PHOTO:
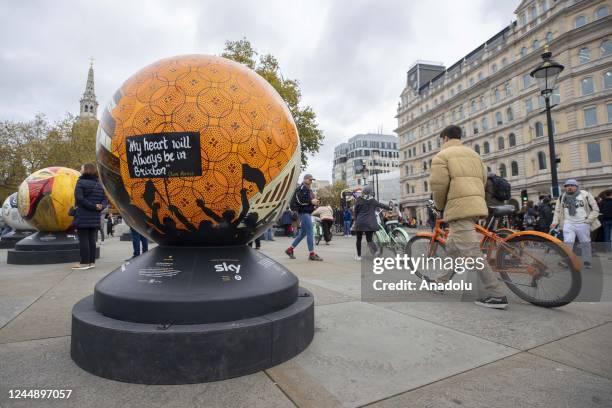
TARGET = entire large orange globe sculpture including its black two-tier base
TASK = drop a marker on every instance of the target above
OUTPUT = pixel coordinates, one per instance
(201, 155)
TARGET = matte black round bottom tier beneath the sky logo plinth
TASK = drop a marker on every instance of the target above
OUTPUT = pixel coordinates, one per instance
(186, 354)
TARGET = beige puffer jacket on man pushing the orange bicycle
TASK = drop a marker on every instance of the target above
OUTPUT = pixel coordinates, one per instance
(457, 181)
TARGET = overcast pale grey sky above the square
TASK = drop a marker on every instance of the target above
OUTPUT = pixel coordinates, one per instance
(350, 57)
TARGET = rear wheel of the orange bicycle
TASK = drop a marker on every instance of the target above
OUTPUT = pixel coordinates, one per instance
(538, 271)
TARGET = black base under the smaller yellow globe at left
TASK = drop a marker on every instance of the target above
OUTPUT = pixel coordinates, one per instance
(46, 248)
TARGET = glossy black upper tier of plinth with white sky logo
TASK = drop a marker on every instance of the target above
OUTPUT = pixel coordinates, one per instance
(187, 285)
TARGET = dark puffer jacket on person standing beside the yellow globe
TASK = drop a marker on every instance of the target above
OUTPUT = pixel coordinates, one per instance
(88, 192)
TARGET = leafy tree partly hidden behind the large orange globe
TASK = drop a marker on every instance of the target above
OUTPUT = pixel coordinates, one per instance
(289, 89)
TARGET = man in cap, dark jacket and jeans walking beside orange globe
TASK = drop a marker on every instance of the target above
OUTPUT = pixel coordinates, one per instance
(303, 202)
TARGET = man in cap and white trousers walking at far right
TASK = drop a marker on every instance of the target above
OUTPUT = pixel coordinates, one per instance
(576, 214)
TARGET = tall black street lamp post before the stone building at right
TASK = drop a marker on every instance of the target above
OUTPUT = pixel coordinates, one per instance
(546, 73)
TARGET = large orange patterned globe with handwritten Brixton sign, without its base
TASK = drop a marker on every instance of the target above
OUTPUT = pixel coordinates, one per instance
(198, 150)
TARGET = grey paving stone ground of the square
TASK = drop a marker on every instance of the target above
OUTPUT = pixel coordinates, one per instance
(402, 354)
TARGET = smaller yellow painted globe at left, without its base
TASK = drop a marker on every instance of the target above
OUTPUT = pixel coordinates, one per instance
(45, 197)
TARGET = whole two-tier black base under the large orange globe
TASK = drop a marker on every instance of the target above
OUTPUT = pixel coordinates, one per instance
(179, 315)
